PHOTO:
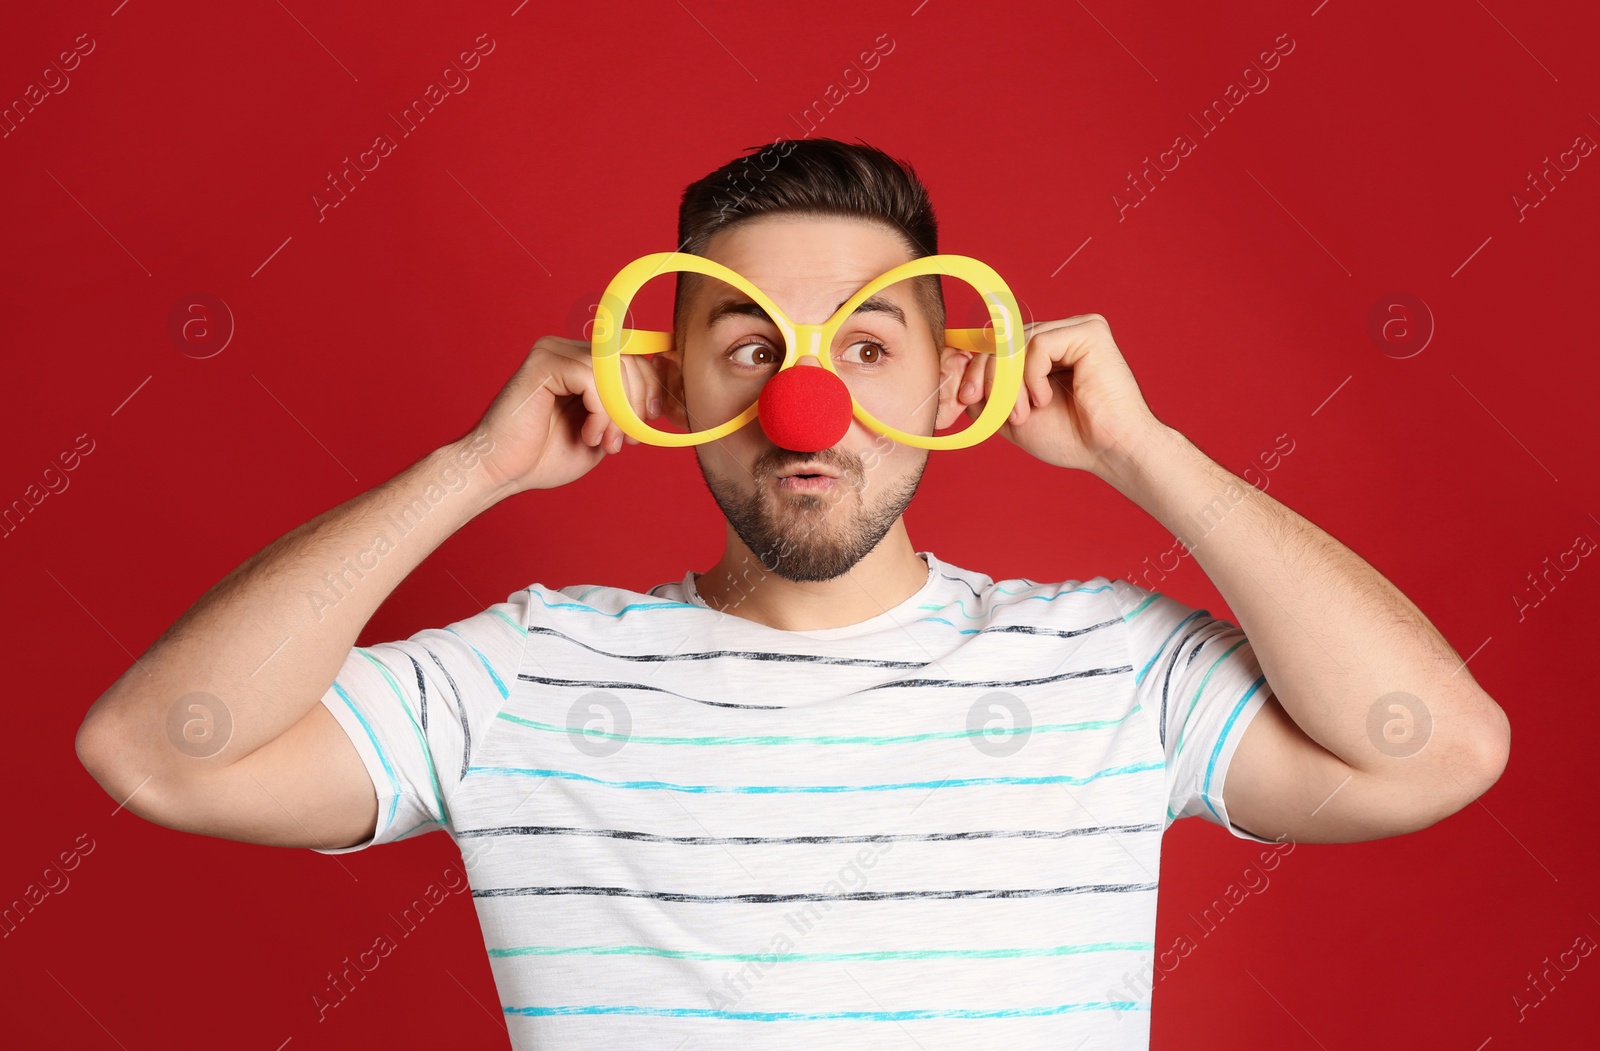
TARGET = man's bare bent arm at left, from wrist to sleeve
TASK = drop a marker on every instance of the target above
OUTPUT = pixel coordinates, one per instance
(254, 658)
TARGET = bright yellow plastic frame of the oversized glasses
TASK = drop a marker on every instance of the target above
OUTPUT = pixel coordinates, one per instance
(610, 340)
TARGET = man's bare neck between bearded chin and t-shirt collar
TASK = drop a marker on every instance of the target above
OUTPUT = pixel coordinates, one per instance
(887, 577)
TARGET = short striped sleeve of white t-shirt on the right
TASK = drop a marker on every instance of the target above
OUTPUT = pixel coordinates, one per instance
(1199, 677)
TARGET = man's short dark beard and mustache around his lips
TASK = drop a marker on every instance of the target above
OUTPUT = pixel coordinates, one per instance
(791, 533)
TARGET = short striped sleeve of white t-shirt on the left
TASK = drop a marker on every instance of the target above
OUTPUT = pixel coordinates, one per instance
(415, 708)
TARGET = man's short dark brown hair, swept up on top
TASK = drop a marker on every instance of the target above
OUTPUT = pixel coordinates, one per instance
(820, 178)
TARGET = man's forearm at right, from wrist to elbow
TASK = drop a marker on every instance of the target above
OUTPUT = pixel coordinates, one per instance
(1334, 637)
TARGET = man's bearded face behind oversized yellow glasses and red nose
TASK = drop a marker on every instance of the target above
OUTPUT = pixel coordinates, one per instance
(809, 266)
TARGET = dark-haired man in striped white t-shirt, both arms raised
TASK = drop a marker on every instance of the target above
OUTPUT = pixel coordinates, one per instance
(833, 791)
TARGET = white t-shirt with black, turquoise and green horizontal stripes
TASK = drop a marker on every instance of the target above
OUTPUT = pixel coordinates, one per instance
(938, 828)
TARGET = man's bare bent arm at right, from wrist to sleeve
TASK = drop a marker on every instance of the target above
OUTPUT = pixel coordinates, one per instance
(1359, 676)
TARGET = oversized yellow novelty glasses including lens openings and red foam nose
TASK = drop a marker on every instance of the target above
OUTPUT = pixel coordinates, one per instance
(887, 386)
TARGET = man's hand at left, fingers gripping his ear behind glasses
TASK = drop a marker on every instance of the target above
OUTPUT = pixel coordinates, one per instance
(550, 428)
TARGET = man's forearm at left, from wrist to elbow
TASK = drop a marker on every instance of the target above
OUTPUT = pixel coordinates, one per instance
(273, 634)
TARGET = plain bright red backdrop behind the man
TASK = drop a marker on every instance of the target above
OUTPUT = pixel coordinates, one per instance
(1383, 158)
